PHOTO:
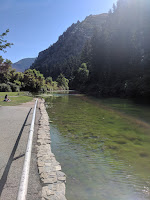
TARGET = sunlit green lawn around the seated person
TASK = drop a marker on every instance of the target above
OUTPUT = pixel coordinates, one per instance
(15, 97)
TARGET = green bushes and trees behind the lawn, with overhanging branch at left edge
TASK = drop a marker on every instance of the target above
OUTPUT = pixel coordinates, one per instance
(31, 80)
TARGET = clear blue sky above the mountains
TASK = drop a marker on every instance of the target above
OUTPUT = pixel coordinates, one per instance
(36, 24)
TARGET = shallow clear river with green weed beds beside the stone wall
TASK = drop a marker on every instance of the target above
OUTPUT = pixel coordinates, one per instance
(103, 146)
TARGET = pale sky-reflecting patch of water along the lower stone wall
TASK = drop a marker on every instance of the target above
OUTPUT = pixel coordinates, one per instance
(93, 176)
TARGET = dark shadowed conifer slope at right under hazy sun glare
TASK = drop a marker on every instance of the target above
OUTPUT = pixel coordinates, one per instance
(118, 59)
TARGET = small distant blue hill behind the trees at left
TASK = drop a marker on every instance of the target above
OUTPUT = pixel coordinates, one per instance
(23, 64)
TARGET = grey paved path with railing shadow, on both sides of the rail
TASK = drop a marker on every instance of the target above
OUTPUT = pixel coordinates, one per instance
(15, 123)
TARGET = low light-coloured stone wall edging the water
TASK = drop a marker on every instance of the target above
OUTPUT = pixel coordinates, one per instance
(52, 178)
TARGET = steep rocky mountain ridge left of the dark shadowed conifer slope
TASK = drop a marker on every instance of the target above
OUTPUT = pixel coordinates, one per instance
(63, 55)
